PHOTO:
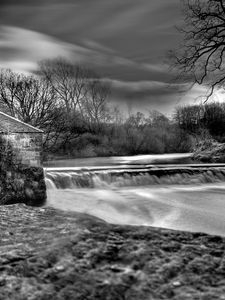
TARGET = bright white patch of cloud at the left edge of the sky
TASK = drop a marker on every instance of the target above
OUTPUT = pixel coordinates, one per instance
(21, 49)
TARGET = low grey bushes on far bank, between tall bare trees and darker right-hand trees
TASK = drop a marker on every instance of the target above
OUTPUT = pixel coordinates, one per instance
(136, 134)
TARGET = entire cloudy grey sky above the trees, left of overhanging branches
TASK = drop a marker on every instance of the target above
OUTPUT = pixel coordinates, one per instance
(125, 41)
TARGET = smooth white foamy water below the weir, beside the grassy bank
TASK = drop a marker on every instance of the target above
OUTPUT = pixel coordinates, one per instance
(182, 208)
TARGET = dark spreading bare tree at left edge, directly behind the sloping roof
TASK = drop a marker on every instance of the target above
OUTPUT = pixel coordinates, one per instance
(33, 101)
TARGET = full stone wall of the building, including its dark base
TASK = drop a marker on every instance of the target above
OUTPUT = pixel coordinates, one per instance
(21, 176)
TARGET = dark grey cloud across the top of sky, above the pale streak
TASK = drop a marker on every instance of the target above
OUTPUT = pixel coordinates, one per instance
(142, 30)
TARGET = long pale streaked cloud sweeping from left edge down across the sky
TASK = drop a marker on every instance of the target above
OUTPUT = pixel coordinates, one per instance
(21, 49)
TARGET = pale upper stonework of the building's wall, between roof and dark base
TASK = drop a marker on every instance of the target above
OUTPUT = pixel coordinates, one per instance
(27, 147)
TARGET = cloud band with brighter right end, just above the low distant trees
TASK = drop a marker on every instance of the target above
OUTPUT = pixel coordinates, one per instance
(162, 96)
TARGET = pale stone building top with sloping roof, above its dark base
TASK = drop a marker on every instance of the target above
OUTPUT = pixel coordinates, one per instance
(25, 139)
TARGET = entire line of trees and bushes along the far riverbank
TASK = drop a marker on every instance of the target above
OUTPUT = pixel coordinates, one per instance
(70, 103)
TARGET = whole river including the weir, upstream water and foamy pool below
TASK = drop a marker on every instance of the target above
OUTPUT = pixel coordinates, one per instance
(168, 191)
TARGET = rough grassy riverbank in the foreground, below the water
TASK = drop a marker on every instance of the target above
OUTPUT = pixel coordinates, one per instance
(51, 254)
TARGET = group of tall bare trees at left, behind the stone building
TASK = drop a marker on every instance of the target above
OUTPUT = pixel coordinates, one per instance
(64, 100)
